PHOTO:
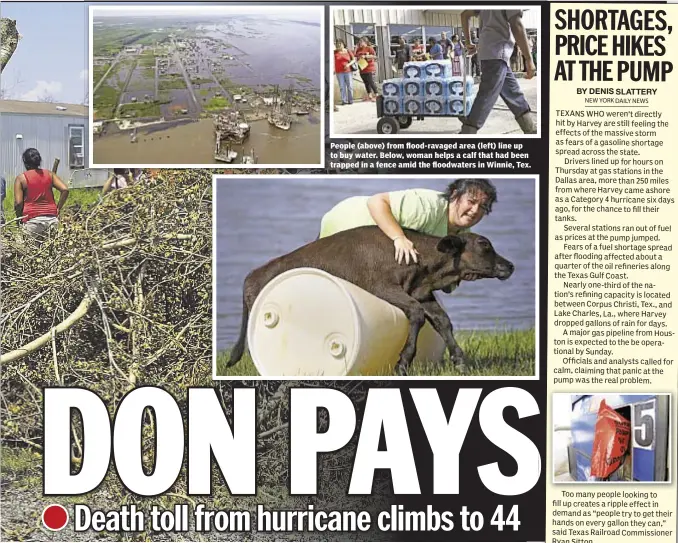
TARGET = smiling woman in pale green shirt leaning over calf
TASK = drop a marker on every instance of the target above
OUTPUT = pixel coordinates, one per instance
(461, 206)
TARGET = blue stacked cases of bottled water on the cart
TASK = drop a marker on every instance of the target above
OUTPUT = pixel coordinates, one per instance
(428, 88)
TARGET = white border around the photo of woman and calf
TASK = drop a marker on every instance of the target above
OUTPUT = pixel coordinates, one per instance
(282, 178)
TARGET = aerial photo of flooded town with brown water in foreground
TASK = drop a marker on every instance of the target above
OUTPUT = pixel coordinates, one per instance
(206, 85)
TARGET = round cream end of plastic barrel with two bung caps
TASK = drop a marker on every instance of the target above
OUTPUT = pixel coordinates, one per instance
(304, 323)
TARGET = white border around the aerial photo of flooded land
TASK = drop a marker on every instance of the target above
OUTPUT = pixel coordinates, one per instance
(202, 7)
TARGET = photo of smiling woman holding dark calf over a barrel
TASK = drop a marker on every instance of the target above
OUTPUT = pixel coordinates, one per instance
(375, 276)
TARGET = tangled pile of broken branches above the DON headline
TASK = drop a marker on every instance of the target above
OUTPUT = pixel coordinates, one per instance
(119, 297)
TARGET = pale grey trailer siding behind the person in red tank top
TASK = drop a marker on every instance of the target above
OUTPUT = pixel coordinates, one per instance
(49, 135)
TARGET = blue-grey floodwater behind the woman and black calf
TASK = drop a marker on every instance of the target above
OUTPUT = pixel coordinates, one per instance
(263, 218)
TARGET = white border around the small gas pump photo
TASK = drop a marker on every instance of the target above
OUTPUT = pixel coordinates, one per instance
(670, 460)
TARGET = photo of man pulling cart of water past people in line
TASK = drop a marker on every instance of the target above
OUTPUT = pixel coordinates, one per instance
(435, 71)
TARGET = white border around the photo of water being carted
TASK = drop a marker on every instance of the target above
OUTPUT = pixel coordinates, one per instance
(405, 134)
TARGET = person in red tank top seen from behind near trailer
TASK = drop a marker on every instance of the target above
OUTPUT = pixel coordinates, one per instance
(33, 196)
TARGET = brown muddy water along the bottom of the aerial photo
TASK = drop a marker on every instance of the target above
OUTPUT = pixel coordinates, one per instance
(193, 143)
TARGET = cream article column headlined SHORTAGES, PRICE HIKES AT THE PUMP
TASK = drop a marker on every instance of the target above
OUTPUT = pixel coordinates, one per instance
(611, 220)
